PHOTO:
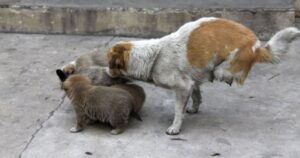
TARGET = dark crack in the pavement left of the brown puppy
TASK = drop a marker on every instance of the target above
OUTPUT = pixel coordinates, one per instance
(42, 125)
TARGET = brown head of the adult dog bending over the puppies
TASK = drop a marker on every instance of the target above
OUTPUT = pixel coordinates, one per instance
(118, 57)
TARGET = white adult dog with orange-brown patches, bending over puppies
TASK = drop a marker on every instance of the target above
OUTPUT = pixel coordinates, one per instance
(207, 49)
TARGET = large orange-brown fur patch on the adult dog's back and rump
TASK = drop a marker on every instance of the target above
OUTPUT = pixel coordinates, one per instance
(221, 37)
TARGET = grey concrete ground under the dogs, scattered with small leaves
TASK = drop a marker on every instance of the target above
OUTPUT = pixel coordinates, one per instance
(258, 120)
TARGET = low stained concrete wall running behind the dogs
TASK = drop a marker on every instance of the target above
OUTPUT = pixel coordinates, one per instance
(155, 20)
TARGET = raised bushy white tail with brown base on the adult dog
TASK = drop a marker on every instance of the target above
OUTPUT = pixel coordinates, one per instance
(276, 46)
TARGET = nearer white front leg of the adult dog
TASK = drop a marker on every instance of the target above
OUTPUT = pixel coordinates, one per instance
(182, 96)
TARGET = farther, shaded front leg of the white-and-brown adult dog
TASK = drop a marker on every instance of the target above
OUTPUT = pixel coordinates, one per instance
(197, 100)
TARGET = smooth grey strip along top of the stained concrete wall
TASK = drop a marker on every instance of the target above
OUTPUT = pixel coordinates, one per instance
(179, 4)
